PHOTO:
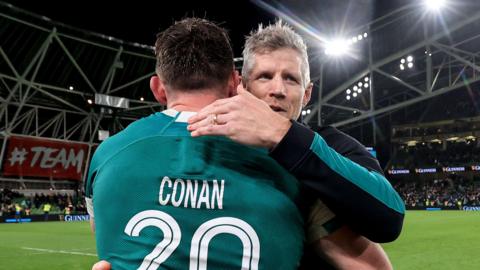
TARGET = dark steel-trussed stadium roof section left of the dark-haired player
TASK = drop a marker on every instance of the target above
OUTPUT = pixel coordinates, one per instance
(60, 81)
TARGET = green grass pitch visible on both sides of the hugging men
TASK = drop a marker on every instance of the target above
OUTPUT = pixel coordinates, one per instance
(438, 240)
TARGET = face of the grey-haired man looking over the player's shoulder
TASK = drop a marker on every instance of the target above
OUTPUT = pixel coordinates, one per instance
(276, 79)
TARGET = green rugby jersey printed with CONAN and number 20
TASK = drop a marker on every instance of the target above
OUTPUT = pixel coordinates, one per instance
(165, 200)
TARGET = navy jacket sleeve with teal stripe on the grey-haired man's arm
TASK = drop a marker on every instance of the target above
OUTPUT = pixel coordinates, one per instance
(348, 180)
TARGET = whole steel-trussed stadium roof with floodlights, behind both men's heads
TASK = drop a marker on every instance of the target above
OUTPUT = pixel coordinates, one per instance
(49, 71)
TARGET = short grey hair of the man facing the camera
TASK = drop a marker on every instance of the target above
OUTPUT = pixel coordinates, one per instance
(270, 38)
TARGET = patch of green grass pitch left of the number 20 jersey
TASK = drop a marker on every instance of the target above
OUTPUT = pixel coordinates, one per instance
(47, 245)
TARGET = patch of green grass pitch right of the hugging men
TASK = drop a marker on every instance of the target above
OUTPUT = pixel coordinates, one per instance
(440, 240)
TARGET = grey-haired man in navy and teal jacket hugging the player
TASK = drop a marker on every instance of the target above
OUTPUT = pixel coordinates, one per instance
(356, 199)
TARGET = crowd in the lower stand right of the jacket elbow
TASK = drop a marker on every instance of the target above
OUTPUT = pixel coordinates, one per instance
(452, 192)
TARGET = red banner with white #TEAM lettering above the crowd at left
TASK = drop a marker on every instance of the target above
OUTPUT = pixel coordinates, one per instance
(34, 157)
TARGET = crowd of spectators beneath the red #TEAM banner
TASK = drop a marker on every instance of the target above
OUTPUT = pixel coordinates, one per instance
(11, 202)
